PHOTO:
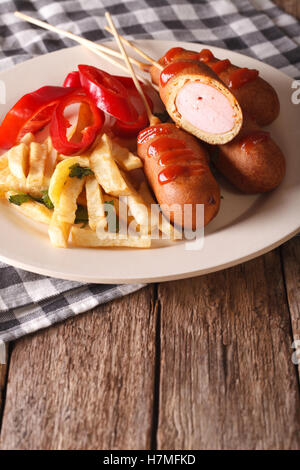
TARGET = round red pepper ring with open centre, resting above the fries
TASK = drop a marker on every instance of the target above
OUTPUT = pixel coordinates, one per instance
(59, 125)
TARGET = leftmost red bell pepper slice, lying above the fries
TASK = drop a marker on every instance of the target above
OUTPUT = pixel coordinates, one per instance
(30, 114)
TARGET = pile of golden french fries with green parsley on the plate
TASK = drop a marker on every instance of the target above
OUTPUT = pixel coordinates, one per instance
(54, 189)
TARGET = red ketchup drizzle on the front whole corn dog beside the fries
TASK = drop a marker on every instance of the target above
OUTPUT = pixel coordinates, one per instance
(173, 151)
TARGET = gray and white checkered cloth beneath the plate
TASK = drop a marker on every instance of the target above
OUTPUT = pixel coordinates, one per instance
(257, 28)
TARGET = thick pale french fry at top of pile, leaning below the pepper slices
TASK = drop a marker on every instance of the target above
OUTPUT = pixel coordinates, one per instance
(106, 170)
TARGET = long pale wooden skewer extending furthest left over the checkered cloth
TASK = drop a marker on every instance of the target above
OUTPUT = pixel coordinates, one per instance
(84, 42)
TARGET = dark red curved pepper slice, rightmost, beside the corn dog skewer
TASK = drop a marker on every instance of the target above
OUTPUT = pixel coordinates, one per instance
(125, 129)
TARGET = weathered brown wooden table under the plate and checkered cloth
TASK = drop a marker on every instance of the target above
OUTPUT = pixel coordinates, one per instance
(203, 363)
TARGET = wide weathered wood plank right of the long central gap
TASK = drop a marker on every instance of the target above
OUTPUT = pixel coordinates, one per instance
(227, 379)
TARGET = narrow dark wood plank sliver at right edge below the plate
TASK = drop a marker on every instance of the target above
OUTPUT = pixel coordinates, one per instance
(291, 265)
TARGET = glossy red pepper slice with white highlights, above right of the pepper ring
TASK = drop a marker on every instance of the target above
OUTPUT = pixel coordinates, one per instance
(108, 92)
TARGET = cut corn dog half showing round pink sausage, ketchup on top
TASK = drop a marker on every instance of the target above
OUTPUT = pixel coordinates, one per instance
(199, 102)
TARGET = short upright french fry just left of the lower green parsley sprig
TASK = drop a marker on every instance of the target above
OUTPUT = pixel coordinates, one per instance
(67, 206)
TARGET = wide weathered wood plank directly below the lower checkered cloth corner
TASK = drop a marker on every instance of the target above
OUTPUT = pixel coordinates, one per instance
(87, 383)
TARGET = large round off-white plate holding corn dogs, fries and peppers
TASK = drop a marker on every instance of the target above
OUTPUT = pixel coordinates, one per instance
(246, 226)
